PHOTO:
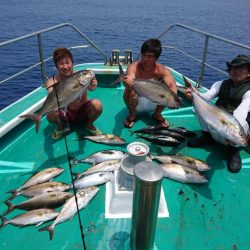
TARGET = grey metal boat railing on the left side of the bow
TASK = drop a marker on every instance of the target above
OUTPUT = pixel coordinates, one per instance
(42, 61)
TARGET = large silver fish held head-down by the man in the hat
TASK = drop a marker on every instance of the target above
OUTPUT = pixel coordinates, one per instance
(222, 126)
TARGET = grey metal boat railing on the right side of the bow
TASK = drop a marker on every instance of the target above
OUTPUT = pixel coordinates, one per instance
(203, 61)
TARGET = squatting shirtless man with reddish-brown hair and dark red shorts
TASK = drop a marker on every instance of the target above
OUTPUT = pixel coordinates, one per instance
(79, 110)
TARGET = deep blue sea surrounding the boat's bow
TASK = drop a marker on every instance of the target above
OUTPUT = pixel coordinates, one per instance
(115, 24)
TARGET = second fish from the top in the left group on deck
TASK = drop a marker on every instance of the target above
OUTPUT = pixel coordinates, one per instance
(41, 188)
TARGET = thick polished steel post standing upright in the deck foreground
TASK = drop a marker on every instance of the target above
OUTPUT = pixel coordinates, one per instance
(147, 189)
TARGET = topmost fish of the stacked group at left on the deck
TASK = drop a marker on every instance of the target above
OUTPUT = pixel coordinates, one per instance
(40, 177)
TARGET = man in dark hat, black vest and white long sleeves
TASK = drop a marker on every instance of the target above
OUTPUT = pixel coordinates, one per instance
(234, 96)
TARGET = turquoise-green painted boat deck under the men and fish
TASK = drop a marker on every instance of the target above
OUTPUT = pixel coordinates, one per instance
(201, 216)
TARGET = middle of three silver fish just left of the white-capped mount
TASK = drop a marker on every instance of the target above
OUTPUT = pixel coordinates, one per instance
(106, 166)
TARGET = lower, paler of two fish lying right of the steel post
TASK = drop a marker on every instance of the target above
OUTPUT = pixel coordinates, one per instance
(183, 174)
